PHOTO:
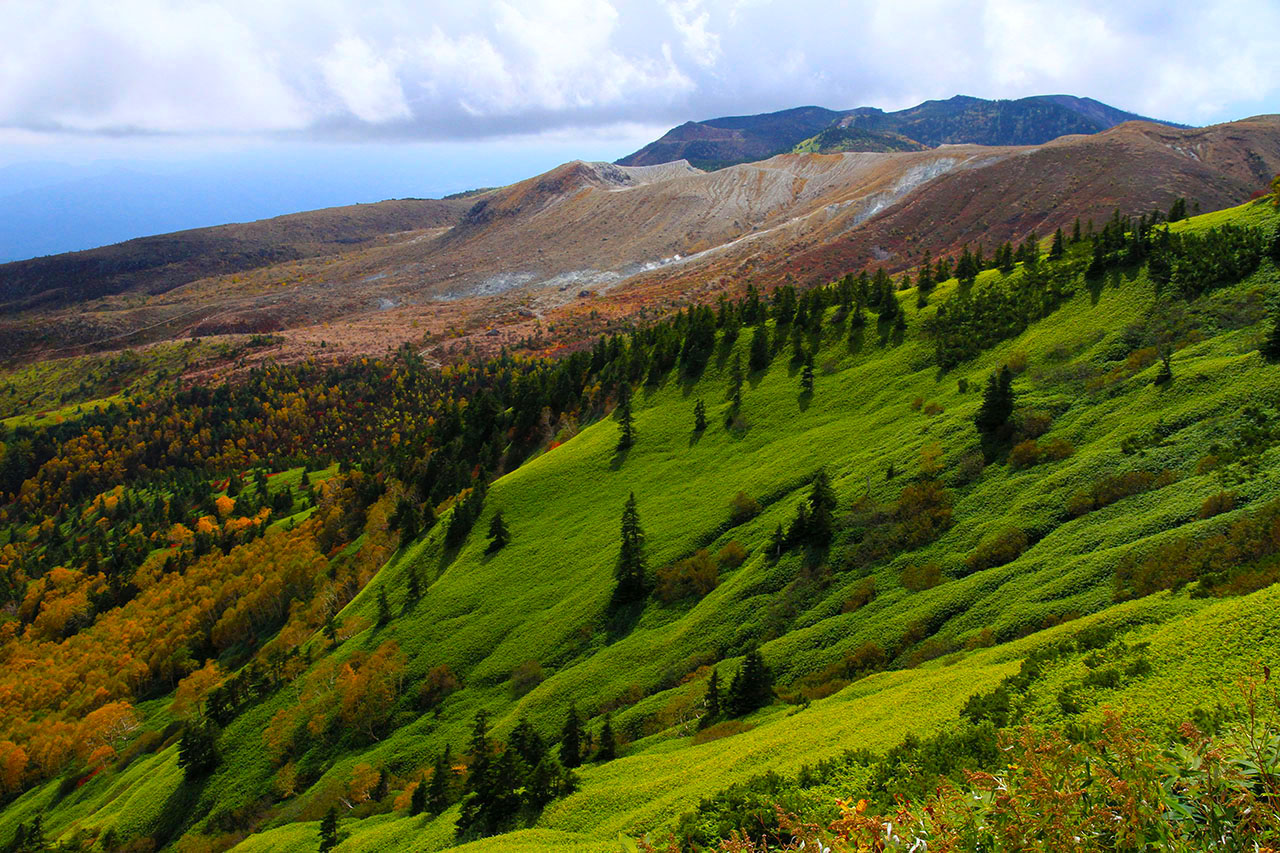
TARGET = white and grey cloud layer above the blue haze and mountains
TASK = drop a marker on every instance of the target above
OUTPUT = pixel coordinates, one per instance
(433, 71)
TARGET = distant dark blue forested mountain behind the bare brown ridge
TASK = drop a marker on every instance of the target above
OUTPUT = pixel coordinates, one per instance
(962, 120)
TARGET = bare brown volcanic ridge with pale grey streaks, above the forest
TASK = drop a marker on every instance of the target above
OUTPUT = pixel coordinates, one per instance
(586, 248)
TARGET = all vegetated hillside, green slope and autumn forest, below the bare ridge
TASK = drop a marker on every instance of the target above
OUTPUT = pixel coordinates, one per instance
(932, 549)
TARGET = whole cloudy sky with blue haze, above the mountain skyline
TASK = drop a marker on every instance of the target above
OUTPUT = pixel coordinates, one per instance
(135, 117)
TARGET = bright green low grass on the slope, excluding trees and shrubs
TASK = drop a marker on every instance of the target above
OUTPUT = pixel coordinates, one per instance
(545, 597)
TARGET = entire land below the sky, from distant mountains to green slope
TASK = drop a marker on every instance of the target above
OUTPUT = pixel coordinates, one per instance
(853, 481)
